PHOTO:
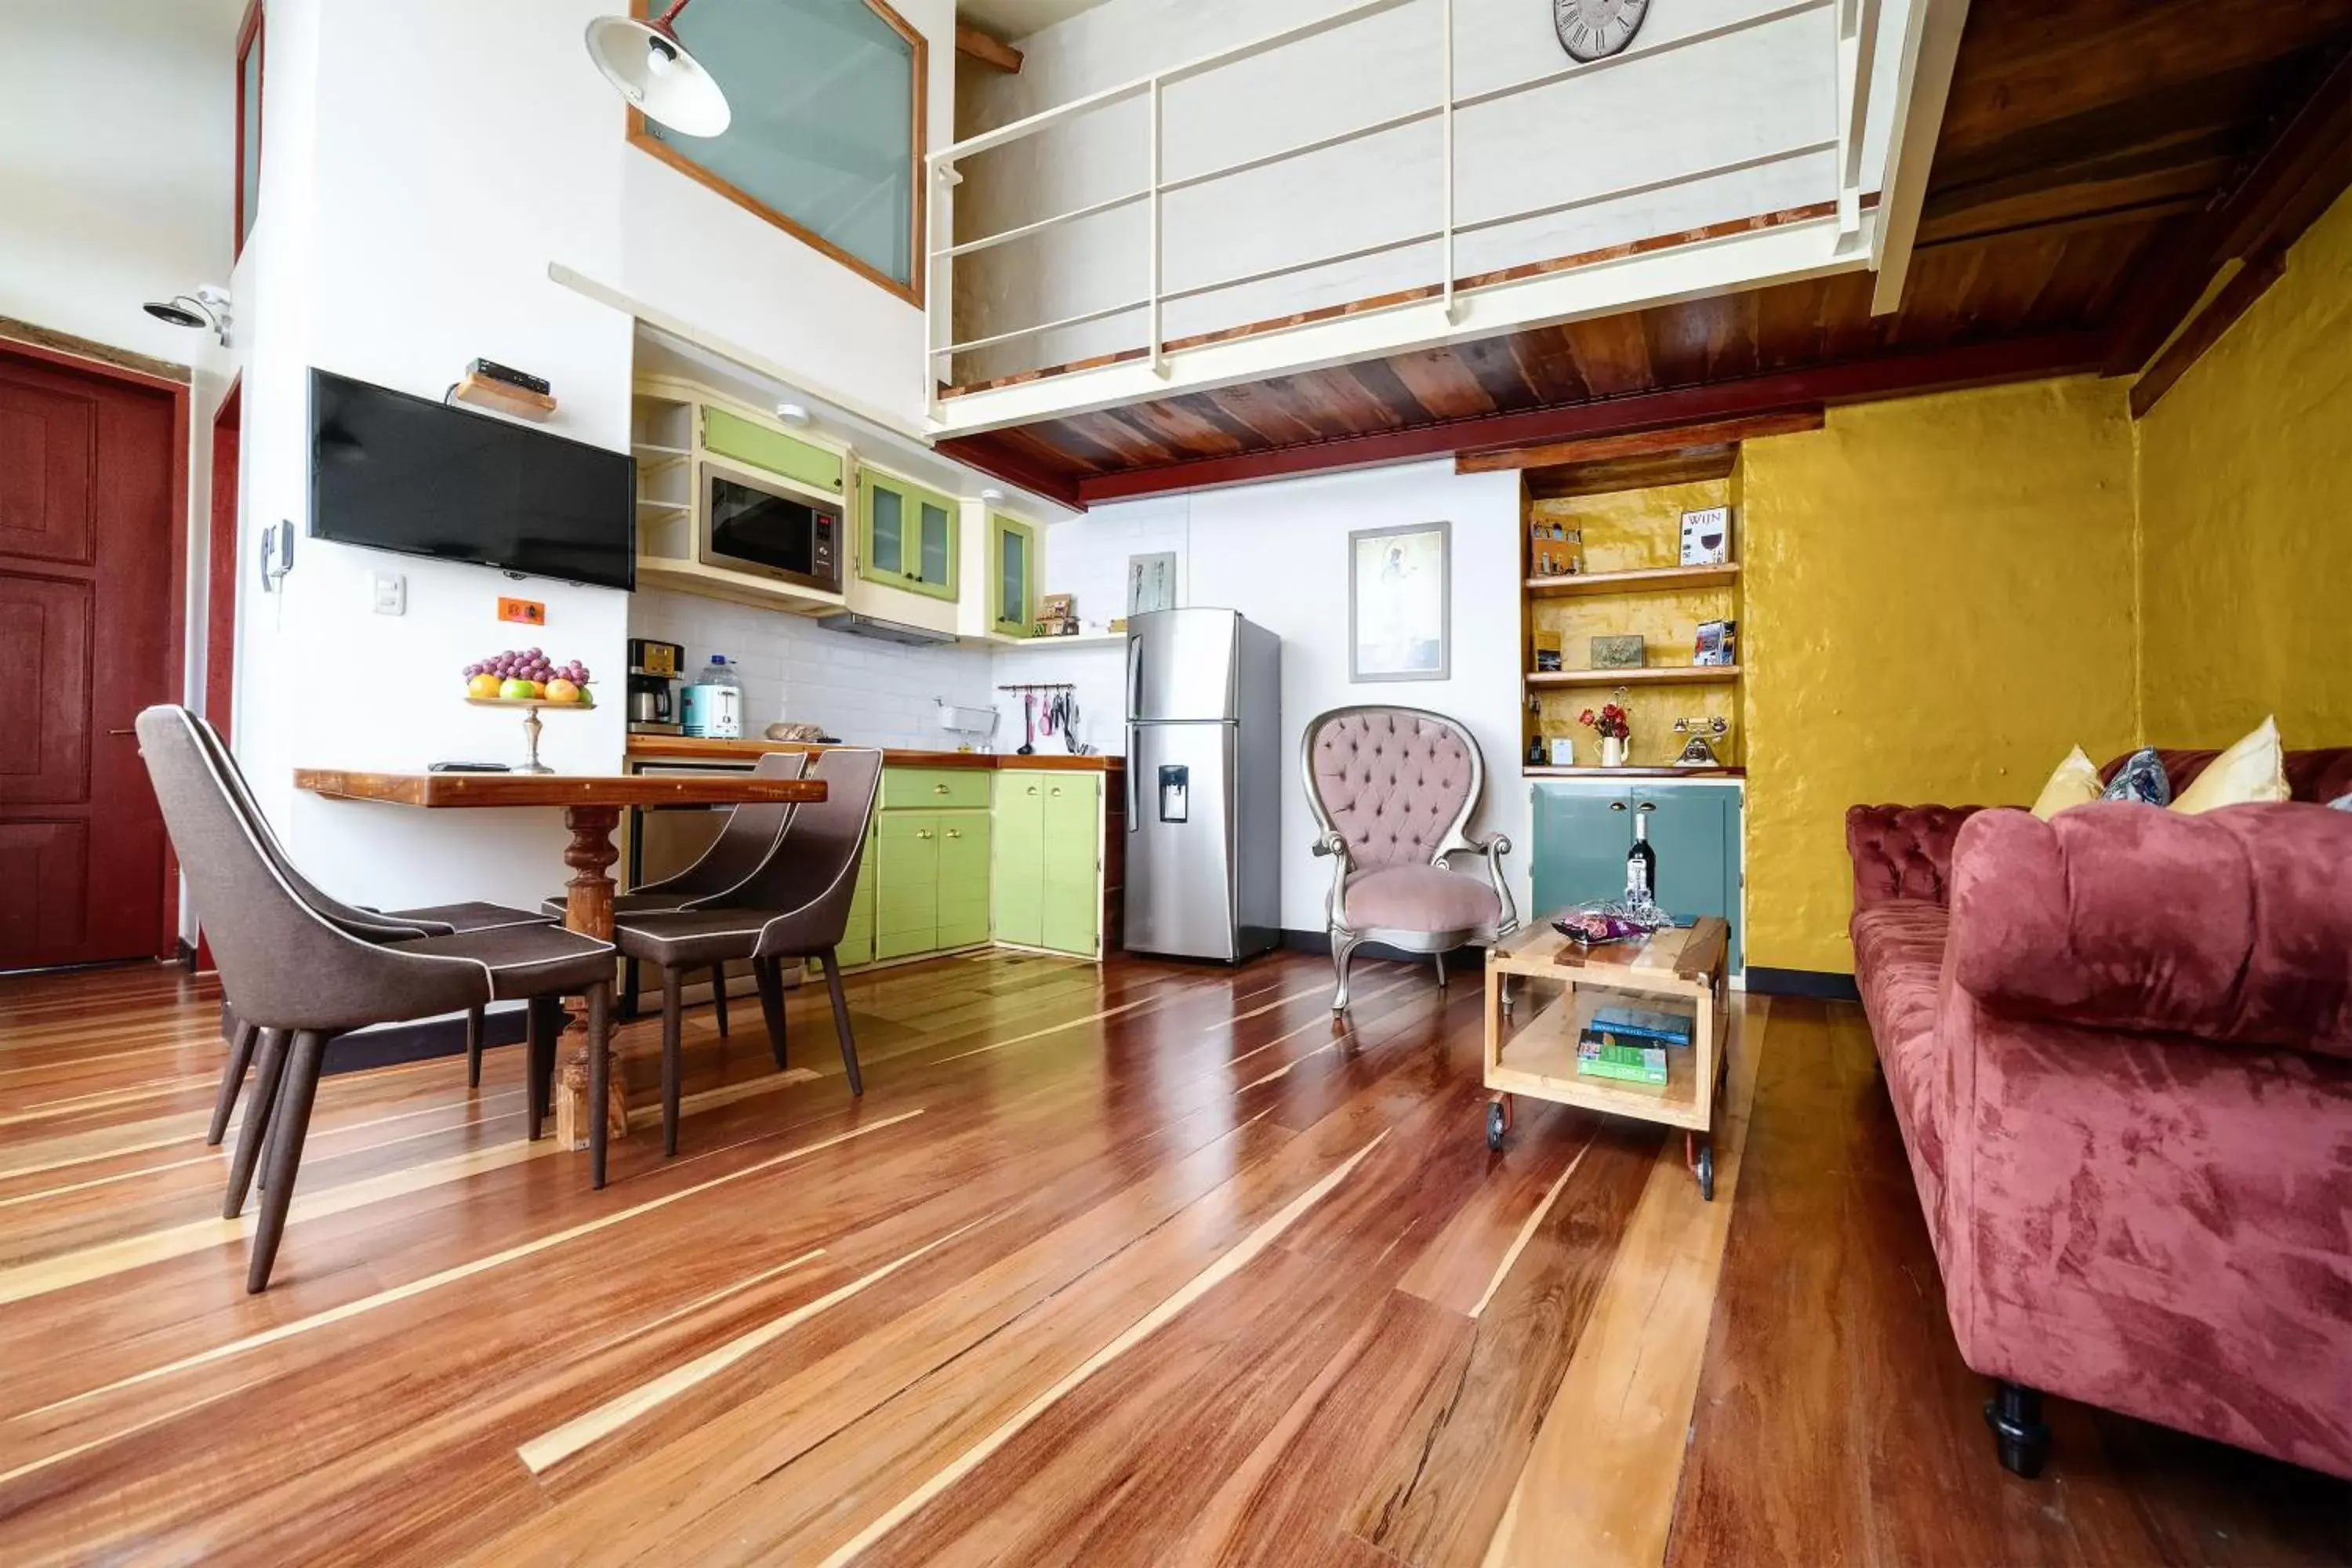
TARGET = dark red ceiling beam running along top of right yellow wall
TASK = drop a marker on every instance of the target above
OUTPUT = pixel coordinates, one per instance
(2304, 168)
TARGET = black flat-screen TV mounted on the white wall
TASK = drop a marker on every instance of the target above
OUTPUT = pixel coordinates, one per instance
(406, 474)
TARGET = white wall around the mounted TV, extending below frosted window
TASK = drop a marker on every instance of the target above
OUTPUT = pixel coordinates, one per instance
(413, 203)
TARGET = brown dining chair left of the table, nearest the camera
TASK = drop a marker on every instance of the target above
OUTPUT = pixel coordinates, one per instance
(302, 979)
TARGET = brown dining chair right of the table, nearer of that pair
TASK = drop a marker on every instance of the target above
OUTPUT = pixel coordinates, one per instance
(796, 906)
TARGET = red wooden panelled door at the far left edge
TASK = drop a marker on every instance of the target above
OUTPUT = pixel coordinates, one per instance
(86, 643)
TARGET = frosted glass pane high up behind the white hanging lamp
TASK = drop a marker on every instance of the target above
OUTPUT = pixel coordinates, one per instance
(827, 121)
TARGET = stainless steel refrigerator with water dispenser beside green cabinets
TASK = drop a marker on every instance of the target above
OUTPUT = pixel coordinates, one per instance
(1203, 784)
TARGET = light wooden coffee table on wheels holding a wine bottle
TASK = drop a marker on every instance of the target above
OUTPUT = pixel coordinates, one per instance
(1676, 972)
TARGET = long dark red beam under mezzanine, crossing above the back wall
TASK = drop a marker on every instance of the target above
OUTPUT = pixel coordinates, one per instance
(1782, 394)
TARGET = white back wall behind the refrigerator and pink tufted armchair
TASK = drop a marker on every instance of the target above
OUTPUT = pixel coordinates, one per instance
(1278, 554)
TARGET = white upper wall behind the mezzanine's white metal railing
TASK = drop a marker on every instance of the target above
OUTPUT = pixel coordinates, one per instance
(1706, 105)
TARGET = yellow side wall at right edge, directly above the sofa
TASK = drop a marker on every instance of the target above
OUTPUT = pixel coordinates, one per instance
(2247, 516)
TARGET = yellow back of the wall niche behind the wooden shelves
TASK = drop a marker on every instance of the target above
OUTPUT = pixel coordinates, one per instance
(1626, 532)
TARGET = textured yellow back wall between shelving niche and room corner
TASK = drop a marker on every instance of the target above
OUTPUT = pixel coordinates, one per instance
(1939, 603)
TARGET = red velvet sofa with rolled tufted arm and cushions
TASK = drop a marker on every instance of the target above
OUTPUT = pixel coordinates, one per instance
(2120, 1050)
